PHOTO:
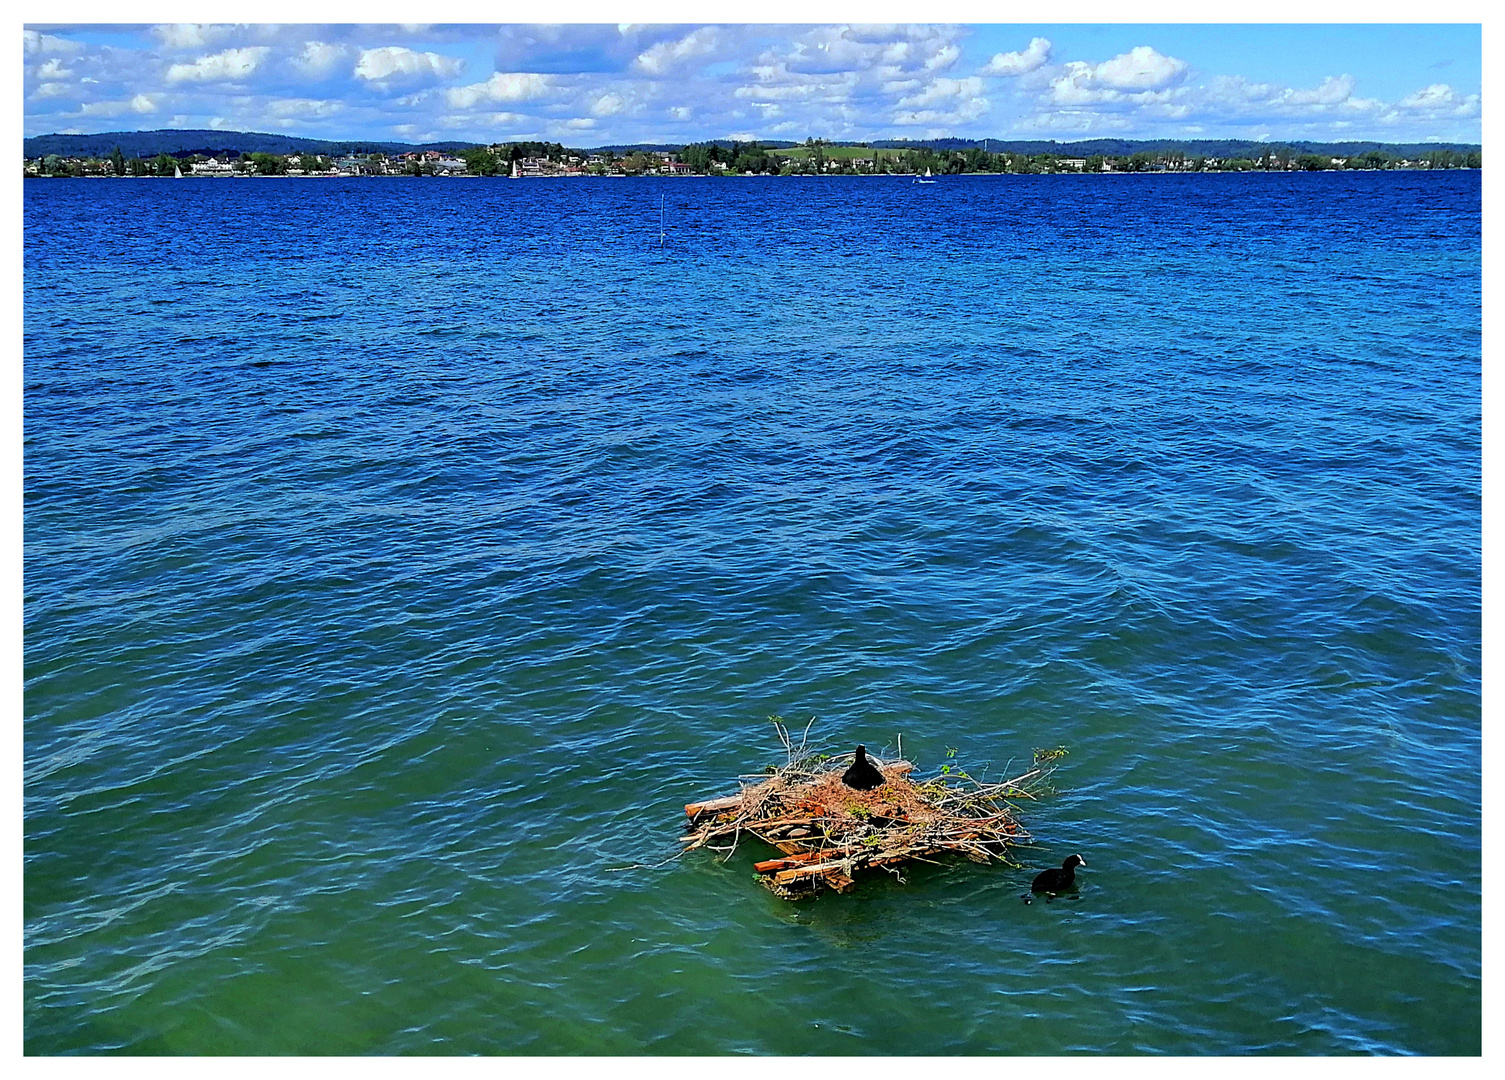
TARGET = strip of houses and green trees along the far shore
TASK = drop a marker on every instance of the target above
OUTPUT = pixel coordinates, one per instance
(815, 159)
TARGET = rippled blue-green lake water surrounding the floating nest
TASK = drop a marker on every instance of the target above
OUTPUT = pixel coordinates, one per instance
(401, 556)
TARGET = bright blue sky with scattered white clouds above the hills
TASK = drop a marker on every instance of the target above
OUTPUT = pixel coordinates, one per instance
(589, 85)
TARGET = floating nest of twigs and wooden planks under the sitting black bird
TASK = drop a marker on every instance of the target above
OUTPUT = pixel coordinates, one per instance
(830, 833)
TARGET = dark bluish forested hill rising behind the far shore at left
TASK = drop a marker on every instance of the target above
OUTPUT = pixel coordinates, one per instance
(172, 141)
